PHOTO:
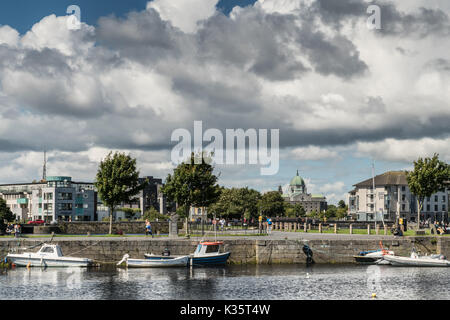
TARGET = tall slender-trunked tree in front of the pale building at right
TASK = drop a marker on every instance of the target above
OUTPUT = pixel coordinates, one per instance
(429, 176)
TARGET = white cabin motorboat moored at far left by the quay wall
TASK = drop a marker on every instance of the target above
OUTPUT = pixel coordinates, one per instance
(49, 255)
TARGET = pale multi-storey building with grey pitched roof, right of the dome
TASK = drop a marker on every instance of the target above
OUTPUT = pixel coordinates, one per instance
(392, 198)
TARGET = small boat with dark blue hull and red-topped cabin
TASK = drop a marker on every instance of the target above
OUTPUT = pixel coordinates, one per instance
(208, 253)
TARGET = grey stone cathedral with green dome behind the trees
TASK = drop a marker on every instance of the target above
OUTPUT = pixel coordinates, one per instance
(297, 193)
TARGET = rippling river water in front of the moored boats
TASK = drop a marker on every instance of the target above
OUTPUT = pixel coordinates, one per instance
(275, 282)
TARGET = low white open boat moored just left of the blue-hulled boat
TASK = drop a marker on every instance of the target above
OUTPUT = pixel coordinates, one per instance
(155, 262)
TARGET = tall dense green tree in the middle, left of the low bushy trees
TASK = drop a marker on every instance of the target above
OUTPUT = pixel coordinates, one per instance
(192, 184)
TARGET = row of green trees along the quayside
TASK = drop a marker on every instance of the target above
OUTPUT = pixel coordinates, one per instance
(194, 184)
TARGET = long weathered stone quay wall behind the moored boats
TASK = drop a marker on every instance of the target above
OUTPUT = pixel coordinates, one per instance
(243, 251)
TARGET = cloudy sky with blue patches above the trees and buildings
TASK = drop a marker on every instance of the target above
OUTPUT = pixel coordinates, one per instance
(342, 95)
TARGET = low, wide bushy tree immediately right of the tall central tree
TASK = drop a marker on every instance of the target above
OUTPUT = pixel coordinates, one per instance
(237, 203)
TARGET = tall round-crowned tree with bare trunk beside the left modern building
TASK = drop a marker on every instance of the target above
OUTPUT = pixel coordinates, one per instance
(117, 181)
